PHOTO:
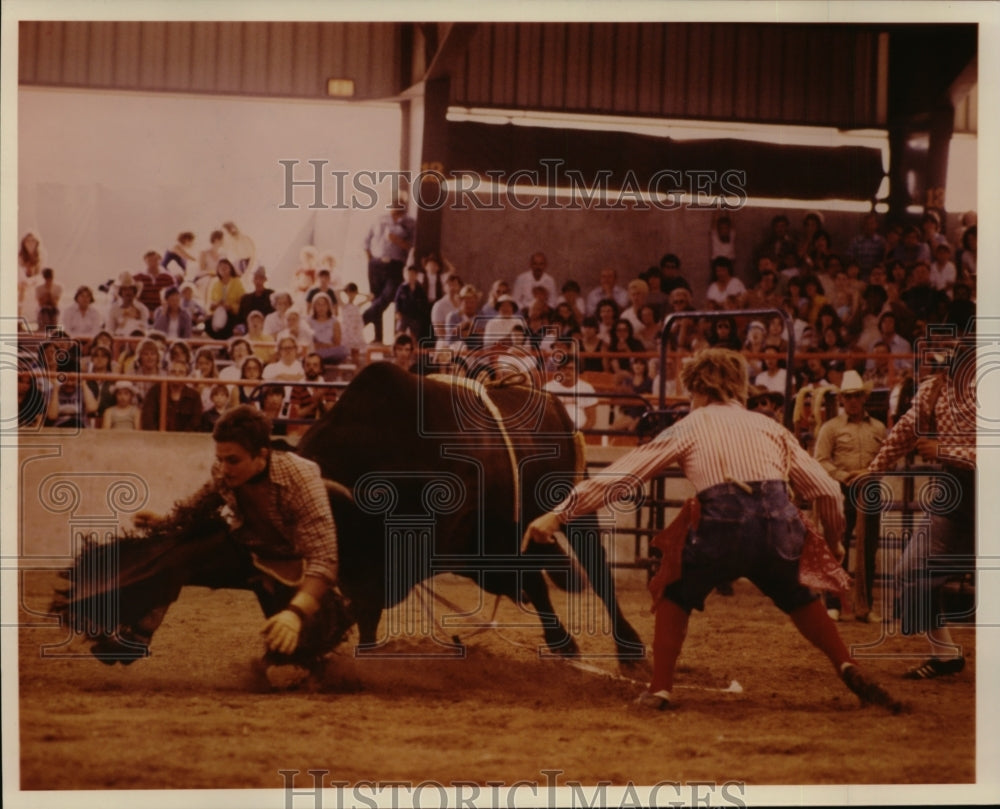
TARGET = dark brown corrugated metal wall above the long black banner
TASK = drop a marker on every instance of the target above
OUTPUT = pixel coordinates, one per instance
(816, 75)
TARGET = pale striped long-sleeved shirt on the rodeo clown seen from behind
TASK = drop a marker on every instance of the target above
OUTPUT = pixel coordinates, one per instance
(715, 444)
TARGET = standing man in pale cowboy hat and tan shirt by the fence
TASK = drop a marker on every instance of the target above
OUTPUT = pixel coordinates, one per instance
(845, 445)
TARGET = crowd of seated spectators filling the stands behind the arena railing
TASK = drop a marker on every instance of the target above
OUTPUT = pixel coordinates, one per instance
(855, 306)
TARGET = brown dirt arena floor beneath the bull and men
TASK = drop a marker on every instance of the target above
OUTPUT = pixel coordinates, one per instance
(197, 715)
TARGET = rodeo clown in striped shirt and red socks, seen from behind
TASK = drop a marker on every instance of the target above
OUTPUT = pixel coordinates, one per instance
(739, 463)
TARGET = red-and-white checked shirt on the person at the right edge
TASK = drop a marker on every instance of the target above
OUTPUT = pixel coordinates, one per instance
(954, 425)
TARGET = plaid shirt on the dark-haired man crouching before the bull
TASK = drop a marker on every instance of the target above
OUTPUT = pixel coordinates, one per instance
(297, 511)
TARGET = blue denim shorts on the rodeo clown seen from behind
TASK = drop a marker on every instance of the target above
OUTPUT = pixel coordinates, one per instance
(757, 535)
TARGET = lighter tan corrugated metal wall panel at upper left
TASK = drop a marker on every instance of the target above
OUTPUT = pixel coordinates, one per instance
(232, 58)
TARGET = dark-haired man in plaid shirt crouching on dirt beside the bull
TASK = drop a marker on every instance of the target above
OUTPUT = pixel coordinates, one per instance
(275, 536)
